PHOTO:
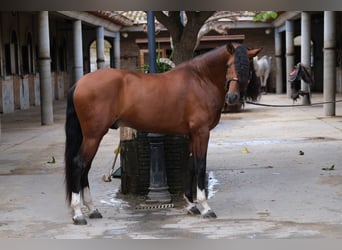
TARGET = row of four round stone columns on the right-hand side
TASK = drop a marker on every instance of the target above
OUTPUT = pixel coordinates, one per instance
(329, 50)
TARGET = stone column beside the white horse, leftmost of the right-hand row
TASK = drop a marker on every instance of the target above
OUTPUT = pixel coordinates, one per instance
(279, 64)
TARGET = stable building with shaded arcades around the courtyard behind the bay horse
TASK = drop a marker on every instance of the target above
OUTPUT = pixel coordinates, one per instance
(80, 42)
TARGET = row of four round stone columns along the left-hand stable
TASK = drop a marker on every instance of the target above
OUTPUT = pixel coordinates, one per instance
(45, 60)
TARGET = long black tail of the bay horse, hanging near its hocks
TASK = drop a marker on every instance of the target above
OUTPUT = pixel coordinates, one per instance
(73, 142)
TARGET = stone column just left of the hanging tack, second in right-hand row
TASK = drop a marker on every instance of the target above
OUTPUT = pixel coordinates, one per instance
(290, 53)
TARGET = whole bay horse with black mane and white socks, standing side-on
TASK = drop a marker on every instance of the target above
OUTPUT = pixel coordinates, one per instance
(110, 98)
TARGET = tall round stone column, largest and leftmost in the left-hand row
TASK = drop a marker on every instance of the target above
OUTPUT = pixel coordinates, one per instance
(46, 101)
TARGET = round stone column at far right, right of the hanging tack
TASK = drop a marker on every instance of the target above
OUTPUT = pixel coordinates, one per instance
(329, 59)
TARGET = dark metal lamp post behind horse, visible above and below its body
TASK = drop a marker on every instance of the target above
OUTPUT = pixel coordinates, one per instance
(158, 188)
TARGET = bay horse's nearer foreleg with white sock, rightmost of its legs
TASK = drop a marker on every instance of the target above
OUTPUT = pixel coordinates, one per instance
(200, 161)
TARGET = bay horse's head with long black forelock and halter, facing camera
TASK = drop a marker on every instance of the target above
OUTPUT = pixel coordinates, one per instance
(239, 71)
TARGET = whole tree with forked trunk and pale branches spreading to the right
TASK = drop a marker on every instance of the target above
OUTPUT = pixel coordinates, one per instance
(186, 35)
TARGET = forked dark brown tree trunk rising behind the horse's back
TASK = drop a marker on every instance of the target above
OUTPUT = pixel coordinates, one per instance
(183, 35)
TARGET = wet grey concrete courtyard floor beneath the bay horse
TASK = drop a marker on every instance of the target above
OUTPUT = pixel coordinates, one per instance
(266, 180)
